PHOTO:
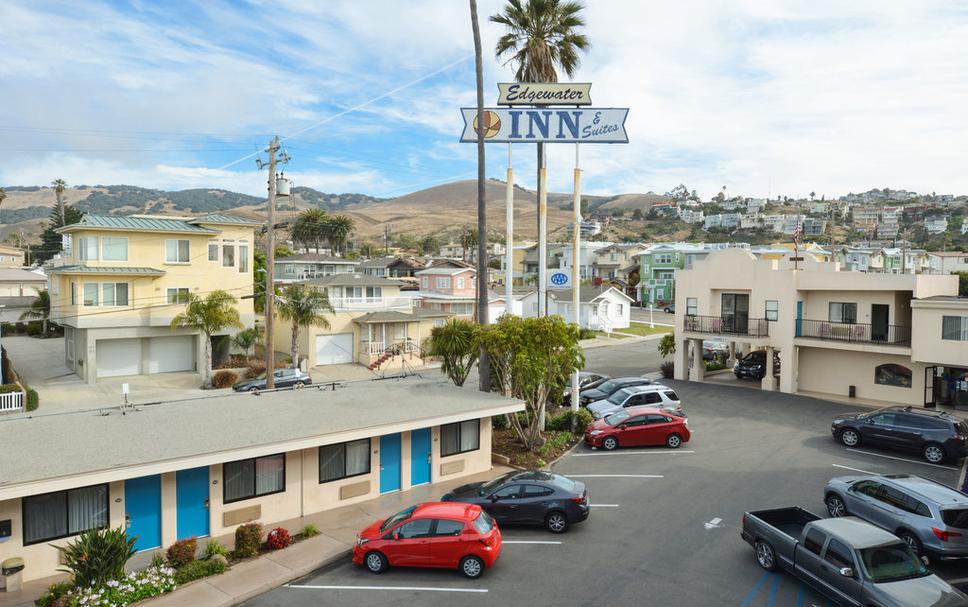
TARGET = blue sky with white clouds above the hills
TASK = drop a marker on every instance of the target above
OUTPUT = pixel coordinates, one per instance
(764, 97)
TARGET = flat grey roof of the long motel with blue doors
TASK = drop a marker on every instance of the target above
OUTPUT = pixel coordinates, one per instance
(59, 451)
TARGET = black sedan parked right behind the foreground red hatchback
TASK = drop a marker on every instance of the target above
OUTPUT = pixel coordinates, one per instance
(528, 497)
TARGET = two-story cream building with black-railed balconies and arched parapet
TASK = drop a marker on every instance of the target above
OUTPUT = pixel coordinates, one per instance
(842, 335)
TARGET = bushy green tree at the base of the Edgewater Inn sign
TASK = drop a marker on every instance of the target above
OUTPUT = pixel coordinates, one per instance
(531, 359)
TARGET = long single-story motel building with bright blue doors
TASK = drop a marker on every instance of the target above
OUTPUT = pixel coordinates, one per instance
(170, 471)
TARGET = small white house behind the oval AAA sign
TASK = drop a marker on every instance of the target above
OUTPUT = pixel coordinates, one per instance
(602, 308)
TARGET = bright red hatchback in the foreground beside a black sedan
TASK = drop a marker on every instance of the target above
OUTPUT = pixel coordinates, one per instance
(446, 535)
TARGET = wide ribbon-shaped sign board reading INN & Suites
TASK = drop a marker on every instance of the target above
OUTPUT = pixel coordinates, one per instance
(560, 125)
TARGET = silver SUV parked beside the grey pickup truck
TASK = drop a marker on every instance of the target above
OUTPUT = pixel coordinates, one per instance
(930, 517)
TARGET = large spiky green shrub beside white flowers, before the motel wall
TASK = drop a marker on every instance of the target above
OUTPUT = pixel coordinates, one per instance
(97, 556)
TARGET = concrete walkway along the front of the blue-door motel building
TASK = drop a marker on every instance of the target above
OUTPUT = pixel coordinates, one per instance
(338, 529)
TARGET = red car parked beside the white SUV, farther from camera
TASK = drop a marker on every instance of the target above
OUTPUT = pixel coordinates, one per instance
(638, 427)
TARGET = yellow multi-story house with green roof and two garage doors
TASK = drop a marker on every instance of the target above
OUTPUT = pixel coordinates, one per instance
(121, 280)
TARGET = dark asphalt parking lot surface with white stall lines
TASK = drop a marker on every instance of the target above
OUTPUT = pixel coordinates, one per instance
(664, 527)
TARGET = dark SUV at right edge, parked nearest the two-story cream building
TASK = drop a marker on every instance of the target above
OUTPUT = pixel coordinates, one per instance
(936, 435)
